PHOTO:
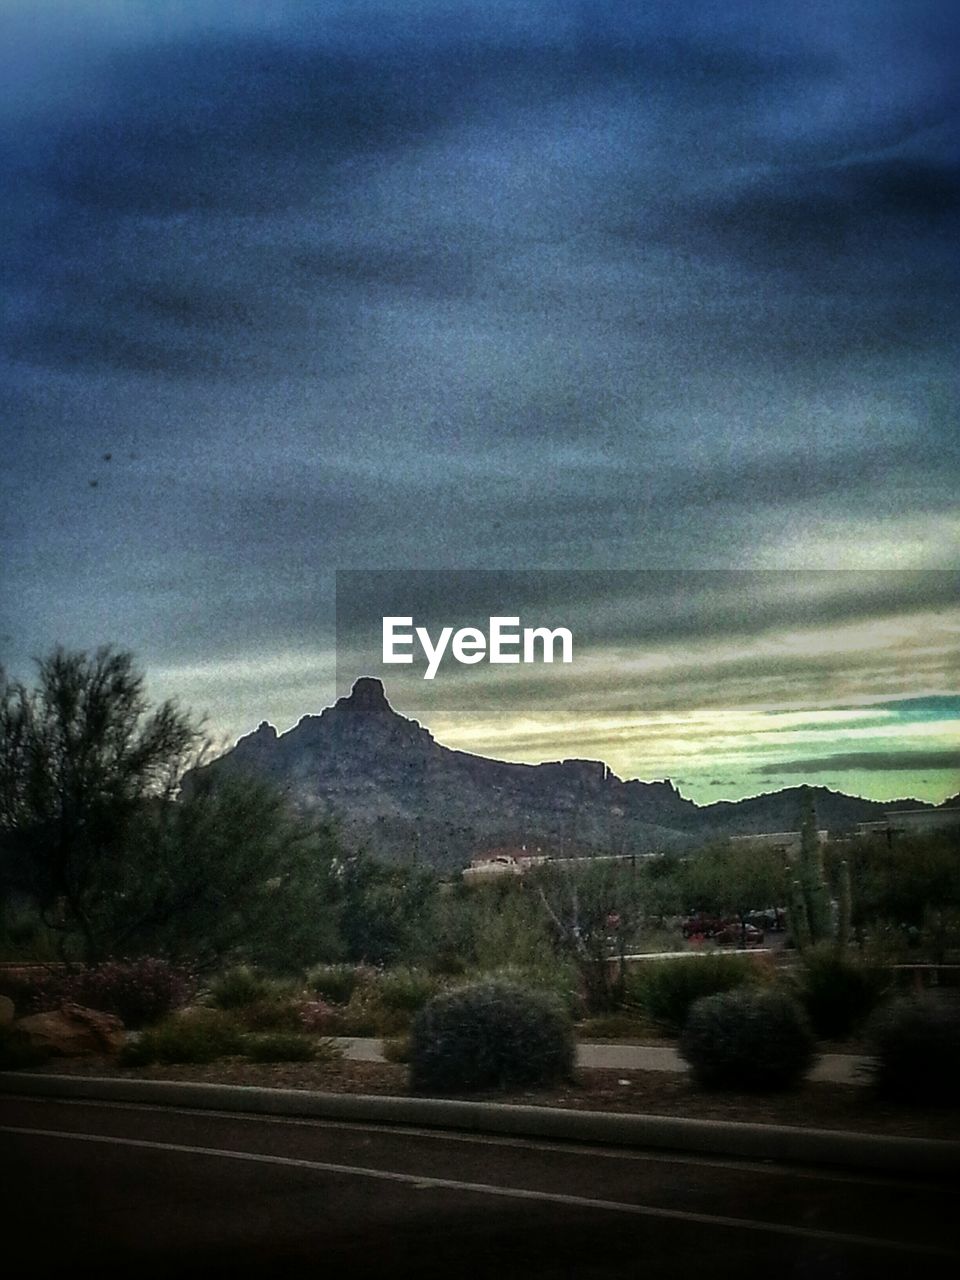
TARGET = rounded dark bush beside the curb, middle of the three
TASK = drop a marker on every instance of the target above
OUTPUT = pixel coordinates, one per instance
(752, 1040)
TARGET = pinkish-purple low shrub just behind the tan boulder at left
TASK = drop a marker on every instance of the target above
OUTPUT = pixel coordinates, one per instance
(138, 991)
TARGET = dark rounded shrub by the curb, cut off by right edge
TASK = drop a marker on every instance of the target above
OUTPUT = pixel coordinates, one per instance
(916, 1046)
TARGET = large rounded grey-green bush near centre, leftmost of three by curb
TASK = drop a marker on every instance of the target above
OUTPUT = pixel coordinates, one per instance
(491, 1035)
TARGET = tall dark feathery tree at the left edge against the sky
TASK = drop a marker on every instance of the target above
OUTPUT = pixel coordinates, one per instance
(80, 755)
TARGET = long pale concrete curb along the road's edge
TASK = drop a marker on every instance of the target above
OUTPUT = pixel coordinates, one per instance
(774, 1144)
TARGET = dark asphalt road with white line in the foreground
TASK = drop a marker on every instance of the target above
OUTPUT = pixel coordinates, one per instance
(139, 1192)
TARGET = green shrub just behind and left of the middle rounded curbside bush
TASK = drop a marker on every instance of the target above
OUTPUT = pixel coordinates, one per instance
(666, 990)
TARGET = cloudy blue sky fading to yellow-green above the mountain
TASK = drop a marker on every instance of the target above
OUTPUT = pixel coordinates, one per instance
(303, 287)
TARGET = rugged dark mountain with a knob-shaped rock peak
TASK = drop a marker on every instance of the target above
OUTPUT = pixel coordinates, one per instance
(396, 792)
